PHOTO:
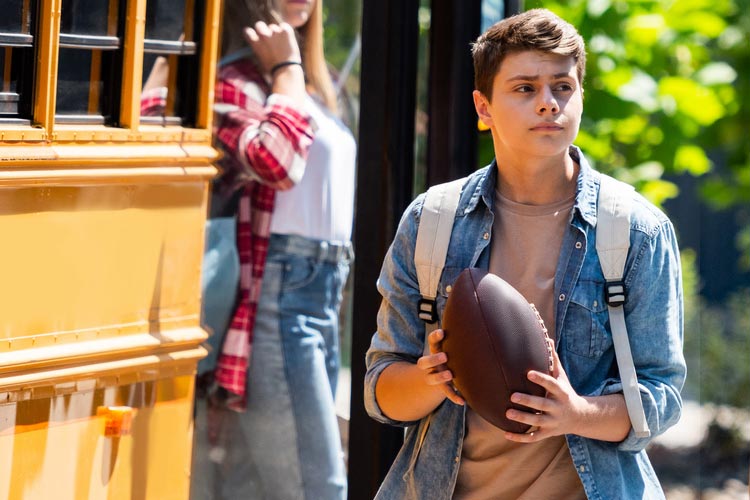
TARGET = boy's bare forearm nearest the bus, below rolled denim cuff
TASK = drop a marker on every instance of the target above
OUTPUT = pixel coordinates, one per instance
(403, 394)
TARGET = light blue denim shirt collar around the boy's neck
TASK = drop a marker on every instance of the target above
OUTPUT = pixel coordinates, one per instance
(586, 188)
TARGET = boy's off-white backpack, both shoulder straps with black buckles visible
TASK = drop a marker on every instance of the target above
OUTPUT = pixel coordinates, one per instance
(612, 244)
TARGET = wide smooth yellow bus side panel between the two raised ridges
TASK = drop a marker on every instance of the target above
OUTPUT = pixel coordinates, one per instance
(86, 256)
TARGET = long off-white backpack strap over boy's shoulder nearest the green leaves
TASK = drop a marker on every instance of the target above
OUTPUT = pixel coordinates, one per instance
(612, 244)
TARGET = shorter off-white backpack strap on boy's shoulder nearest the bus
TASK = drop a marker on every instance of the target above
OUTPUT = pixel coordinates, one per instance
(433, 237)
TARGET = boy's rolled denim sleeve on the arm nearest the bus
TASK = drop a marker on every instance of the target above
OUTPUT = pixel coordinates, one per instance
(400, 332)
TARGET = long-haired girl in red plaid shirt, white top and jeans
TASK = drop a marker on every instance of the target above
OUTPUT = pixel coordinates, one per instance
(285, 149)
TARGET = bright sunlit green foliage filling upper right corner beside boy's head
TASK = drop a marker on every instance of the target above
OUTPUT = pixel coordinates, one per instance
(663, 93)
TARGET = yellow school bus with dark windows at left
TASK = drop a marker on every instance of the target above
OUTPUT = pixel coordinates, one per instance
(102, 214)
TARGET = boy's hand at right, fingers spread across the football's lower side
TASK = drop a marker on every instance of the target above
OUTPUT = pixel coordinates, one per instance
(558, 413)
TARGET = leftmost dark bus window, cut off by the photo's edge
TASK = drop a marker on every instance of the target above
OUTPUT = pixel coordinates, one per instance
(16, 61)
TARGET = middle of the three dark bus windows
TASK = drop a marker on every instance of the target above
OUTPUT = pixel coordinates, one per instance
(88, 61)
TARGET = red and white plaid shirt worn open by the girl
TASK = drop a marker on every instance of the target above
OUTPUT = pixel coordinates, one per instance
(265, 139)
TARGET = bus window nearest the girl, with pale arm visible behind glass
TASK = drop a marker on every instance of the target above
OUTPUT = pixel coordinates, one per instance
(169, 62)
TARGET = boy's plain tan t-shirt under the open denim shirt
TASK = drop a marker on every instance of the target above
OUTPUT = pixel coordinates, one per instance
(526, 242)
